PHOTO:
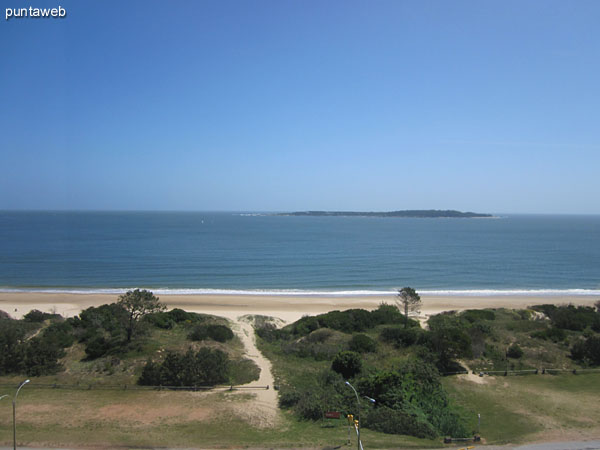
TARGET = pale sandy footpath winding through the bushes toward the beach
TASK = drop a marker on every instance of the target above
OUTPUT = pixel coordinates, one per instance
(262, 410)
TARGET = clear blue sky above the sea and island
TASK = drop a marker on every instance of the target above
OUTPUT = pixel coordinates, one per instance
(487, 106)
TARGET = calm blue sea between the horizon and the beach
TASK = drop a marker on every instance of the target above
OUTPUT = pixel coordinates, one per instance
(227, 253)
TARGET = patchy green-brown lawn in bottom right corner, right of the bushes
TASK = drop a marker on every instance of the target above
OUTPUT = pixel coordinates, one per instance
(529, 408)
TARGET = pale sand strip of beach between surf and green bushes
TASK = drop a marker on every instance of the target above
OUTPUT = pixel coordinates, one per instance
(288, 308)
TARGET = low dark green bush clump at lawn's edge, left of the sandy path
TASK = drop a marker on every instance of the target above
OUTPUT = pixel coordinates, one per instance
(205, 367)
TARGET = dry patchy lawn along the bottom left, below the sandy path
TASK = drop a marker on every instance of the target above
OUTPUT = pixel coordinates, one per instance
(55, 417)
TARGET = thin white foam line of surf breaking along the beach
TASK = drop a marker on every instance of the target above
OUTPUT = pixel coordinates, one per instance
(314, 293)
